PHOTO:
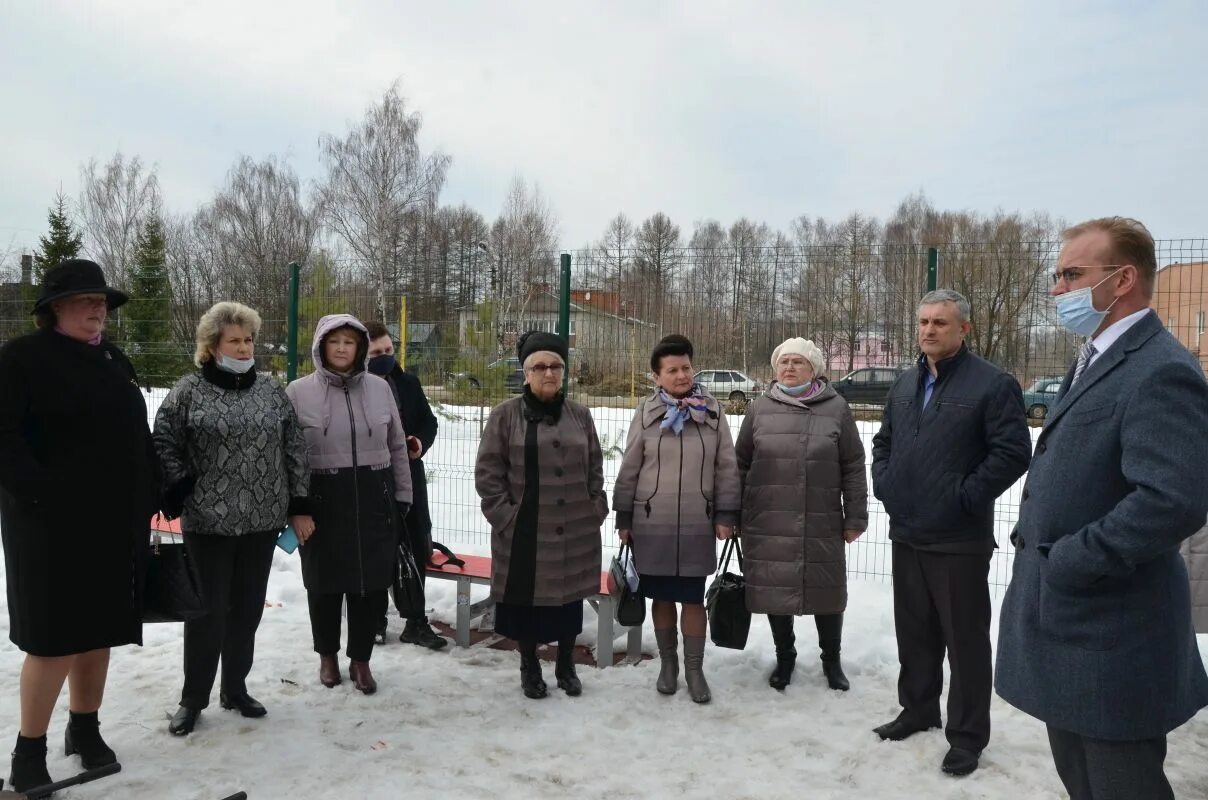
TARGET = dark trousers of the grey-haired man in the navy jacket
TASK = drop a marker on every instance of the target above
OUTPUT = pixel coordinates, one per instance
(942, 604)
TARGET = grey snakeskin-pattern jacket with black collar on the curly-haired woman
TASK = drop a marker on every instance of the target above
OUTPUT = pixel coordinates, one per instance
(233, 454)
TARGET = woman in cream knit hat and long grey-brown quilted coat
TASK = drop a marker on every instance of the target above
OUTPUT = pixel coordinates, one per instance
(805, 500)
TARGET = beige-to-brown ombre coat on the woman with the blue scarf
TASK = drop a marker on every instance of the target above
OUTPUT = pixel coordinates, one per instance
(673, 489)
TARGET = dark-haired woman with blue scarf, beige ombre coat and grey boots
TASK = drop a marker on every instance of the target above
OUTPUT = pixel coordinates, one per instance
(677, 490)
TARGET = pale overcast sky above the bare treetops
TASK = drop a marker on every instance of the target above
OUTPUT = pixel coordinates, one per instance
(696, 109)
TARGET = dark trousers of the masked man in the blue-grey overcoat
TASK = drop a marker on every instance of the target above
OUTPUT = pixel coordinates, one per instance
(1095, 769)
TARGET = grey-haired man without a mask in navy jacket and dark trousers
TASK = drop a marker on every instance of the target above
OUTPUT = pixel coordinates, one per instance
(954, 438)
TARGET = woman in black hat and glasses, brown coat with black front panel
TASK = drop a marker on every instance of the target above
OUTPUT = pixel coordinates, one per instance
(541, 476)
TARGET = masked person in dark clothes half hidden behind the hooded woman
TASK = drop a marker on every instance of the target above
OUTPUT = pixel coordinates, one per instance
(420, 422)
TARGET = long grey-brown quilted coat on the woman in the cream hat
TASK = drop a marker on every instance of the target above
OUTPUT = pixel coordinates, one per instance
(804, 484)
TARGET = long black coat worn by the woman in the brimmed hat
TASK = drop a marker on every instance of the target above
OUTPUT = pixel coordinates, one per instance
(78, 490)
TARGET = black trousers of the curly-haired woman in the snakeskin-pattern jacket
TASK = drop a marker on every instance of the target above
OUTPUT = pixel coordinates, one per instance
(234, 572)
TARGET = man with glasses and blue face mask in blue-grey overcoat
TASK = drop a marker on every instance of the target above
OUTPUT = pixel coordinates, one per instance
(1096, 635)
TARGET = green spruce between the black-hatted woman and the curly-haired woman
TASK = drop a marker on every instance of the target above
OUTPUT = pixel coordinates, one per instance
(147, 318)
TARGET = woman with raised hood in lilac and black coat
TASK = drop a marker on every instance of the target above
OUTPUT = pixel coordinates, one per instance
(361, 489)
